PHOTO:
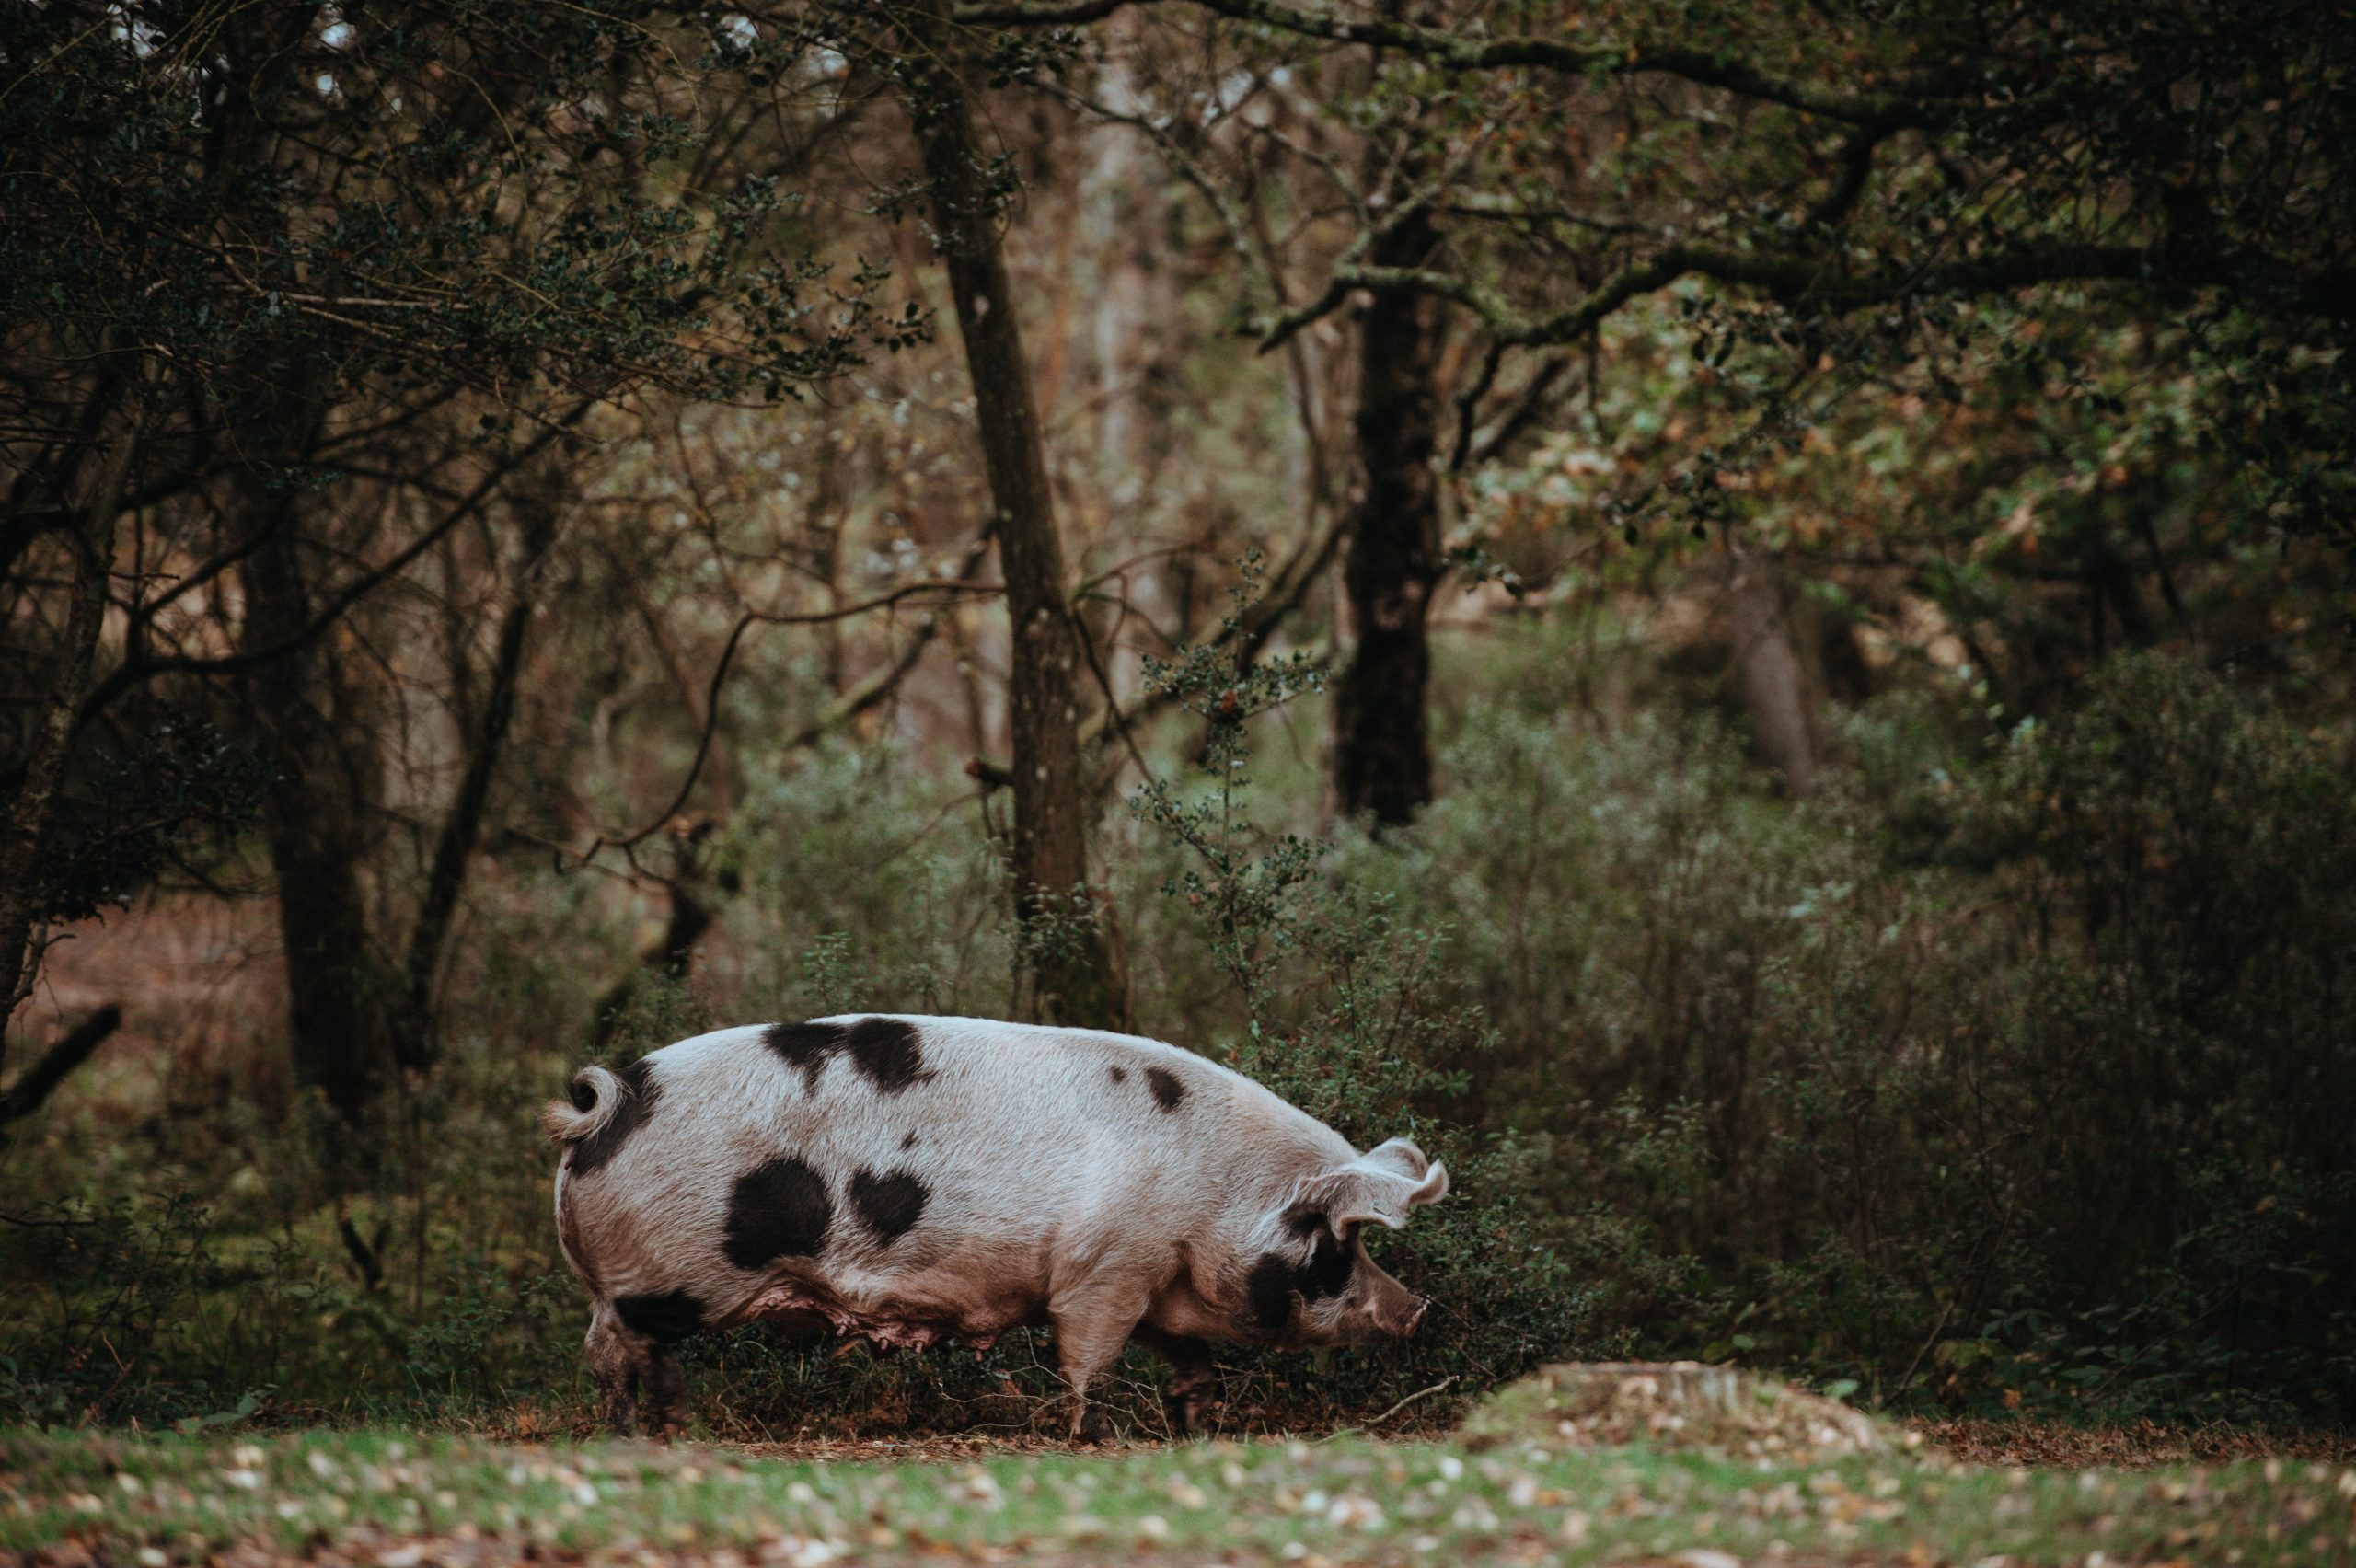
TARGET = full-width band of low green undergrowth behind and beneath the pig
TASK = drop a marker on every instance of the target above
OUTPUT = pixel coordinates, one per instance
(2013, 1072)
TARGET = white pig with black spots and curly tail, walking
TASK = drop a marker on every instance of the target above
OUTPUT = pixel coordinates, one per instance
(911, 1181)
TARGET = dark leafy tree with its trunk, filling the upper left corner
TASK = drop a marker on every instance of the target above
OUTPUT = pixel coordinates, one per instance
(303, 293)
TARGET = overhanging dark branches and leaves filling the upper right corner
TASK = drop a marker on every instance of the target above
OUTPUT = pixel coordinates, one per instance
(1837, 204)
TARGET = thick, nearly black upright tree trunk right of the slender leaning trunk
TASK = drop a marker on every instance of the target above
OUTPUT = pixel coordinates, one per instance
(1382, 736)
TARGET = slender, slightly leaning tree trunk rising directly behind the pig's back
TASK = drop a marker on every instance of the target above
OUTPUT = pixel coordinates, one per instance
(1054, 903)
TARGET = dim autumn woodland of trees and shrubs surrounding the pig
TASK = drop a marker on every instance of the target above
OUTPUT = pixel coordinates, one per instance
(1738, 618)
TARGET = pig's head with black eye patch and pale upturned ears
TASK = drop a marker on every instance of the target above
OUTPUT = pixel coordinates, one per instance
(1306, 1277)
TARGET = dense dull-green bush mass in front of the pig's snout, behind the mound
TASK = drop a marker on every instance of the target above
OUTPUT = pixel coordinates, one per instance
(2004, 1077)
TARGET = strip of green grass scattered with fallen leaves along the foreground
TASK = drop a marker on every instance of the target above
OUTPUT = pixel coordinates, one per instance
(402, 1499)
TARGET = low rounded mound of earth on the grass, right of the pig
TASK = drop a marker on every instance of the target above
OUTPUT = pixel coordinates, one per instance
(1674, 1404)
